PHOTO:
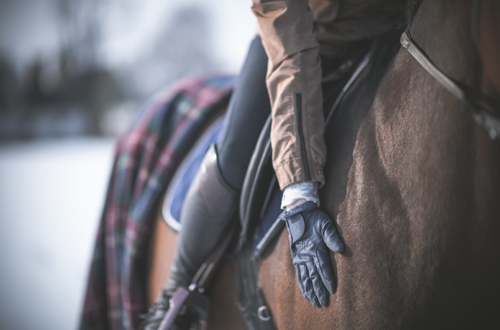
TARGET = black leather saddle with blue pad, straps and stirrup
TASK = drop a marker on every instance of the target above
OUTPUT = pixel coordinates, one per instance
(258, 211)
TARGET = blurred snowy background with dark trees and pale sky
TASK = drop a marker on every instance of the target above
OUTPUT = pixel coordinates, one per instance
(73, 73)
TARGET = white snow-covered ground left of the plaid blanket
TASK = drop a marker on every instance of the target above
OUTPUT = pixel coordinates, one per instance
(51, 195)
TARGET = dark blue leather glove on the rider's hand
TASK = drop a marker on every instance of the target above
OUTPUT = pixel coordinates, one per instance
(311, 231)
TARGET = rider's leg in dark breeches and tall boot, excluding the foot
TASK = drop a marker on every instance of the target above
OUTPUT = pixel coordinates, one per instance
(213, 197)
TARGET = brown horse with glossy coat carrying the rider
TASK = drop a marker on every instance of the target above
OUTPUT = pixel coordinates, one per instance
(413, 186)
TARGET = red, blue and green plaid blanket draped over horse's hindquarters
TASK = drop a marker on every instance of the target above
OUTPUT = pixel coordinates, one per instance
(146, 157)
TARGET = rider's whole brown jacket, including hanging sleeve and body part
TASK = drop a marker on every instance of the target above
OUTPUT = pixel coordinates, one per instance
(290, 32)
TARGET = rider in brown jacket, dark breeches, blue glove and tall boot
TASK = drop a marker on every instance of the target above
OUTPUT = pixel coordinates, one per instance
(297, 42)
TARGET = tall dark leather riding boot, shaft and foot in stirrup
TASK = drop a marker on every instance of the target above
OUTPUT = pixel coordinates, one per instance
(208, 208)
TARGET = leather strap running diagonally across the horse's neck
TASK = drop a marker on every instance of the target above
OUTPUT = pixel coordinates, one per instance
(477, 102)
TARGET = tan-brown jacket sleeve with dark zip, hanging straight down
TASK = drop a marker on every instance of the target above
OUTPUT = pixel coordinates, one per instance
(294, 85)
